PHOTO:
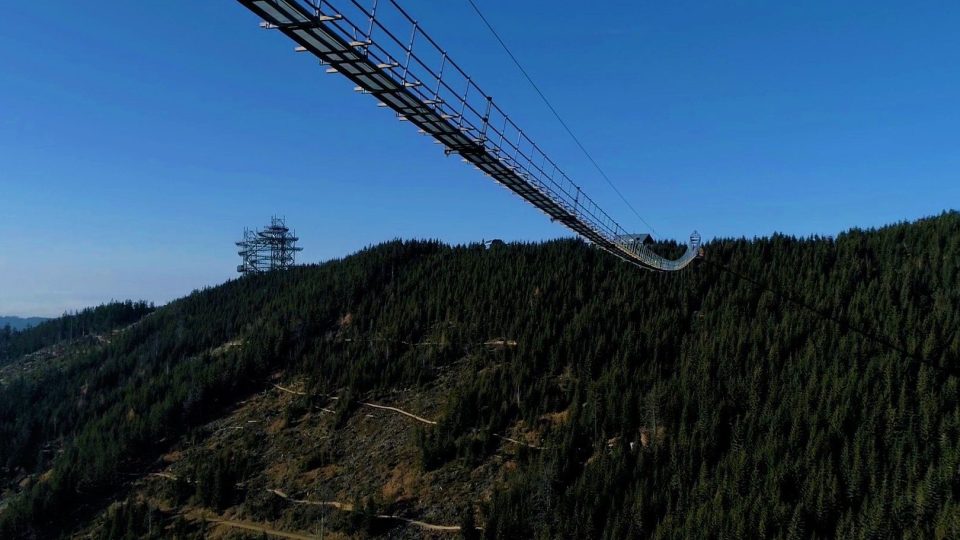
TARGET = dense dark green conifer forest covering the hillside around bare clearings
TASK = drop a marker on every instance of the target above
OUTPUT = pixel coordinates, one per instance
(672, 406)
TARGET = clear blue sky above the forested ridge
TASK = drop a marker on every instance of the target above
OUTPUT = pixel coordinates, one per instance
(137, 139)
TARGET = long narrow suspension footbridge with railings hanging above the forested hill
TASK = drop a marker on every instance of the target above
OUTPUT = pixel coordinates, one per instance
(382, 49)
